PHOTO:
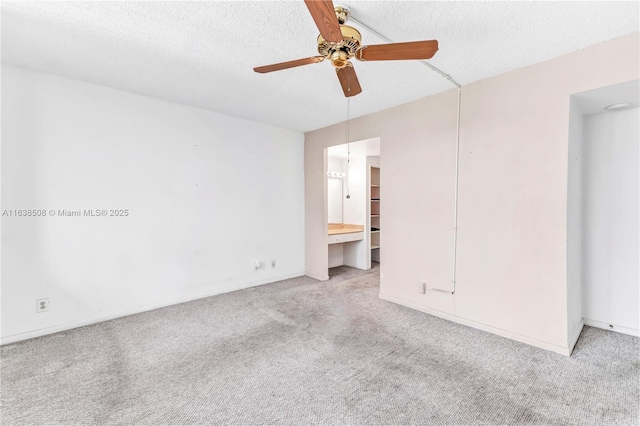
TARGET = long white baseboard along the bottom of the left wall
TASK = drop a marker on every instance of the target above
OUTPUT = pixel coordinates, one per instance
(5, 340)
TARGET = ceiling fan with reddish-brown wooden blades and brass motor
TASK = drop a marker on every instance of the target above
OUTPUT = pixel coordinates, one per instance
(338, 43)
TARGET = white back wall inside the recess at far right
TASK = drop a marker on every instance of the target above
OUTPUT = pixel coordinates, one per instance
(610, 220)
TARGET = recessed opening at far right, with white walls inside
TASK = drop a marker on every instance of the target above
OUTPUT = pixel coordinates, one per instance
(603, 209)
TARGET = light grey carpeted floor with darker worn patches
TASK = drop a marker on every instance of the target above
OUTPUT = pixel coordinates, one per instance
(305, 352)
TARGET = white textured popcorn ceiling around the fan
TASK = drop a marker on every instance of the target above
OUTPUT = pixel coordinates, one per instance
(202, 53)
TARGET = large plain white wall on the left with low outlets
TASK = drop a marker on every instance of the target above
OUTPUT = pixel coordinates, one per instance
(207, 194)
